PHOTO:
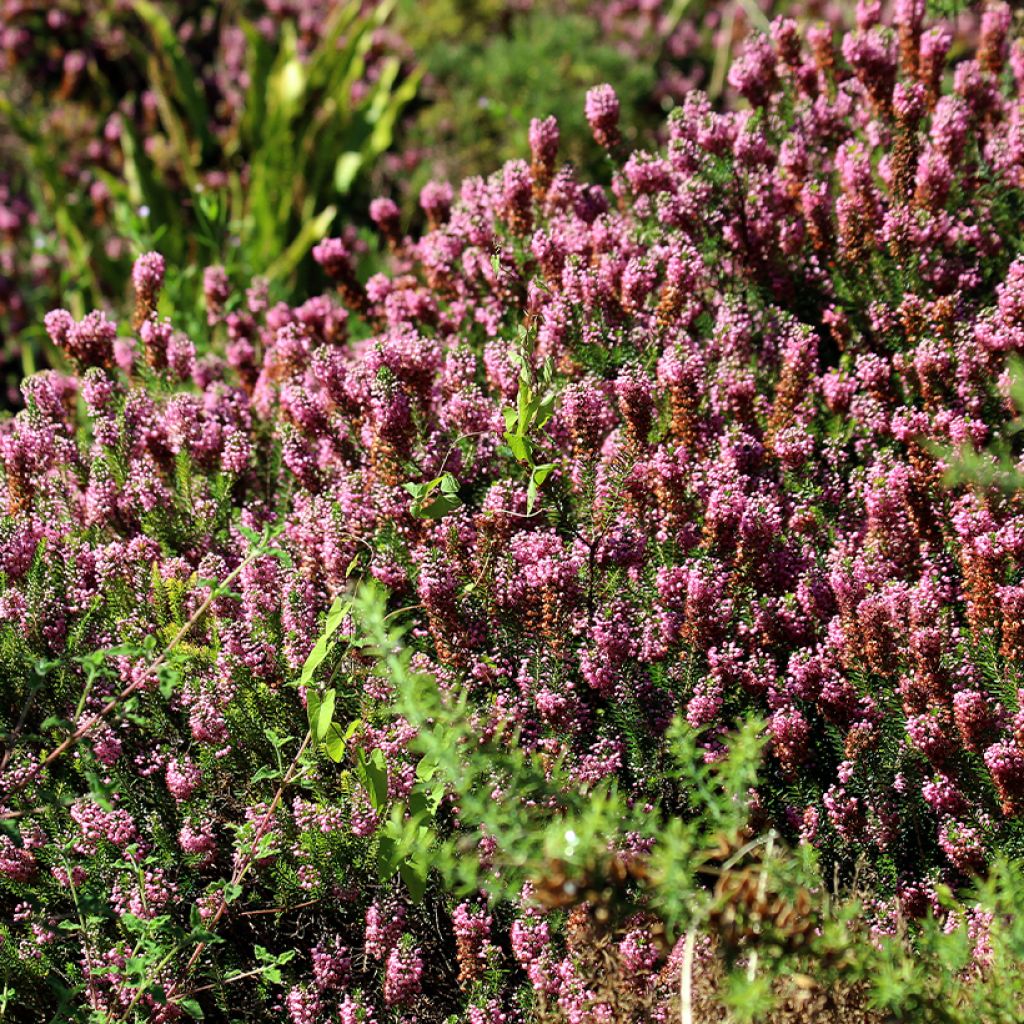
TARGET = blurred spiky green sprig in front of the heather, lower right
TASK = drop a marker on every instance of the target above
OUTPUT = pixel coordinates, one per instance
(925, 972)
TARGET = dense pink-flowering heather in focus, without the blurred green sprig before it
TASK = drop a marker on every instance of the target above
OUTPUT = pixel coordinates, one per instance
(674, 448)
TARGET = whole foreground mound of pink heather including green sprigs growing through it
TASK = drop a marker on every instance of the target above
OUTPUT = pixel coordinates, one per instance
(577, 616)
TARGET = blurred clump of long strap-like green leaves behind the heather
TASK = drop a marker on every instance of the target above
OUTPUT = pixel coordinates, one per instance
(252, 196)
